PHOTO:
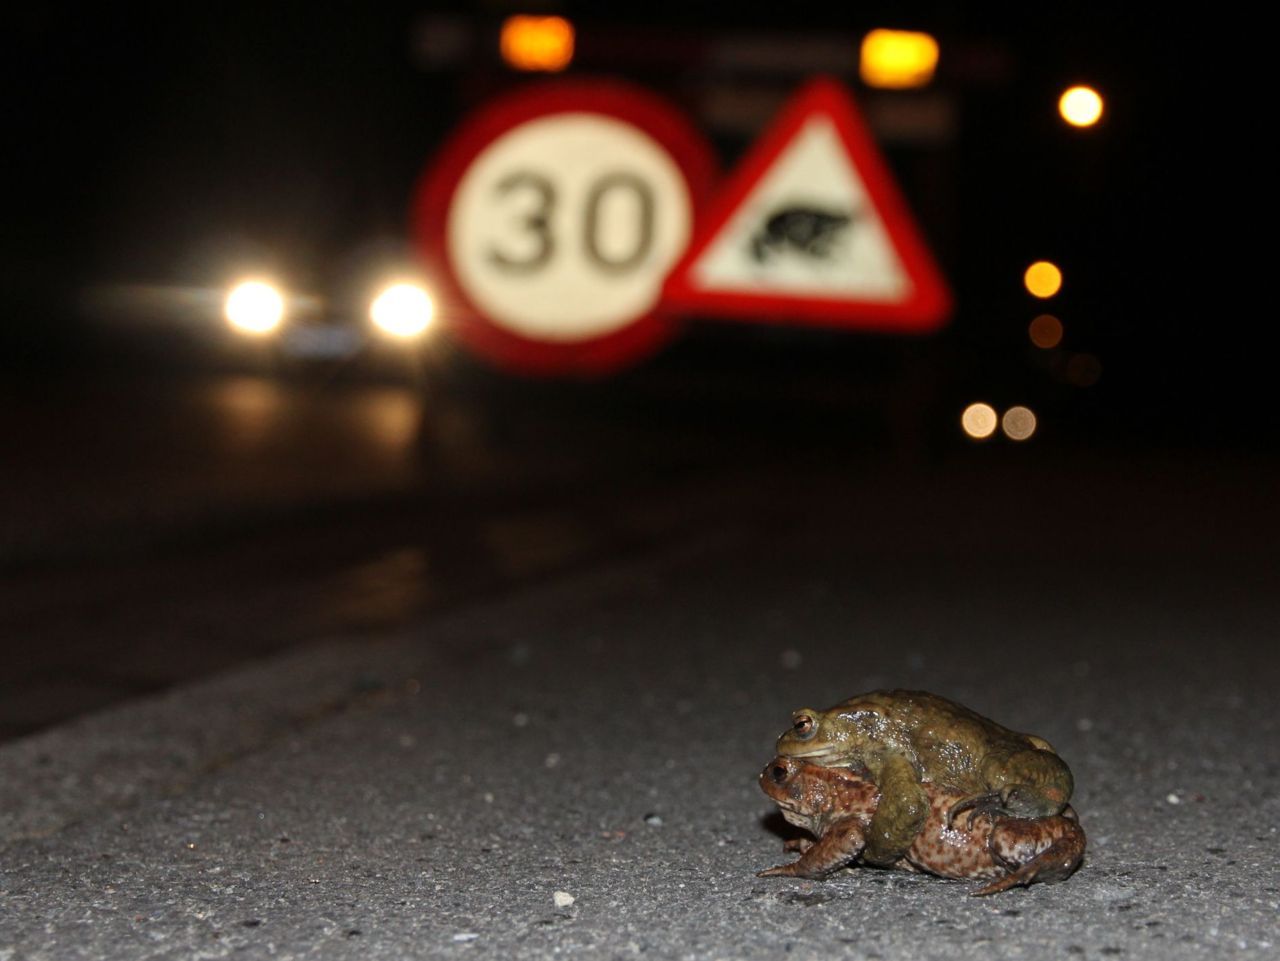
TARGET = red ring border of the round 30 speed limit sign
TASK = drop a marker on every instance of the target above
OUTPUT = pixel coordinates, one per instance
(624, 102)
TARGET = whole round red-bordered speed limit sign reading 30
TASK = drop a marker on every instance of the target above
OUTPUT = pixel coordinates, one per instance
(554, 217)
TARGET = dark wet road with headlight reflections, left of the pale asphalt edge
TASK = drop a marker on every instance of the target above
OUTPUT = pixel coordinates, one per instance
(158, 532)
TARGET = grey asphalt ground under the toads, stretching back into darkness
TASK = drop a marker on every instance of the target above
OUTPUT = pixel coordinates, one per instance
(422, 777)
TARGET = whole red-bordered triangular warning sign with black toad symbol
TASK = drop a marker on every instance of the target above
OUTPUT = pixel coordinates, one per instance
(811, 230)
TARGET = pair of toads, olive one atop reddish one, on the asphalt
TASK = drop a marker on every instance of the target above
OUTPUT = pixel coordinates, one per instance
(884, 780)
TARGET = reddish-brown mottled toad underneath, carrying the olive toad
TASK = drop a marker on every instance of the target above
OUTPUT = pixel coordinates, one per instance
(836, 806)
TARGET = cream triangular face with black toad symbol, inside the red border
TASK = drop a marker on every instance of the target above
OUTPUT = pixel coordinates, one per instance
(808, 228)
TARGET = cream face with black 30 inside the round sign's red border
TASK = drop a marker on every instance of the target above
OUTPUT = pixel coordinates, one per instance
(564, 228)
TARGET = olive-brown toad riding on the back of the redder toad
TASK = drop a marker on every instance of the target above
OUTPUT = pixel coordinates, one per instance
(909, 740)
